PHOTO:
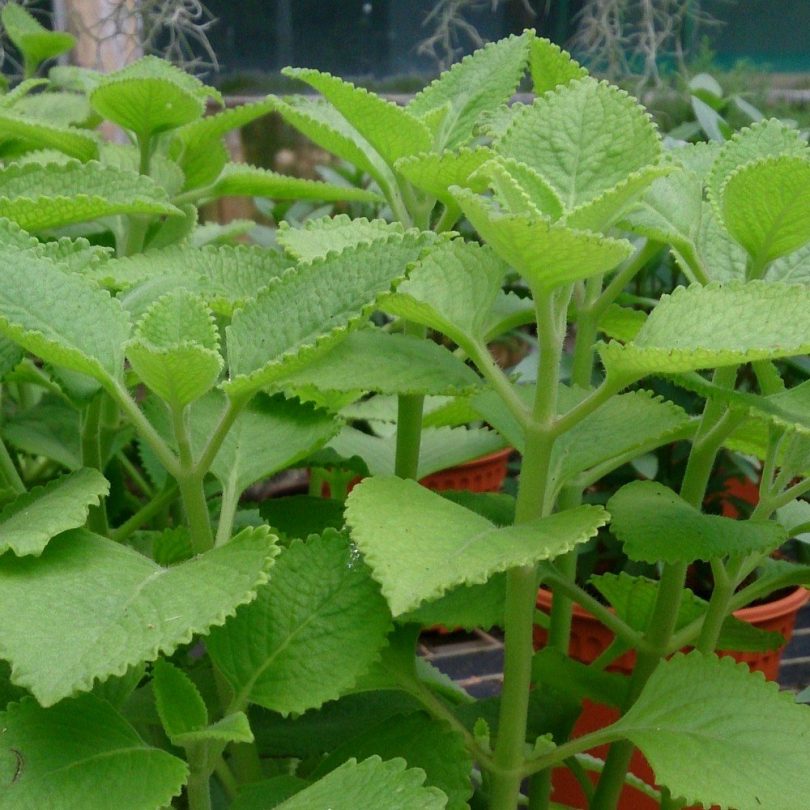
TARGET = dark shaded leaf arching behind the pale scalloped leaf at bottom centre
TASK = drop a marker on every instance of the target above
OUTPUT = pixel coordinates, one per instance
(423, 743)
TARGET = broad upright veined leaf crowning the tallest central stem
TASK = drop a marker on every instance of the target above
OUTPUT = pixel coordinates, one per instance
(584, 138)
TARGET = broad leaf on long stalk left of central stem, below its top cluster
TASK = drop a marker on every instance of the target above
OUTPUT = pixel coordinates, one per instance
(453, 289)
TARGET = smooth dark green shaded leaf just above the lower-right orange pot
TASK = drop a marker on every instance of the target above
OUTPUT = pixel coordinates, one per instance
(655, 525)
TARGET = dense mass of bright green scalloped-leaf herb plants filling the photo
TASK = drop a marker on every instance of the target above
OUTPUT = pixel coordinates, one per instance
(167, 644)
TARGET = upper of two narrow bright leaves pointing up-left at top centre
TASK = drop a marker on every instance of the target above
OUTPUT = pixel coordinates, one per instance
(392, 130)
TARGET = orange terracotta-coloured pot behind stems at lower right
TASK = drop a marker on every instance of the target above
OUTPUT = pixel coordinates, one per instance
(589, 637)
